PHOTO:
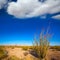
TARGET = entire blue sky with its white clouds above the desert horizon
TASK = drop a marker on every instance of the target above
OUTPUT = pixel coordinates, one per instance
(20, 20)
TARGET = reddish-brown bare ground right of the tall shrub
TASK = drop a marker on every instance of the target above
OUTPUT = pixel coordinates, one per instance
(53, 55)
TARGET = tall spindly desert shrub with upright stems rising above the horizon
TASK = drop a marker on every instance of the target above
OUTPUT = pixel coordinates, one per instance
(41, 45)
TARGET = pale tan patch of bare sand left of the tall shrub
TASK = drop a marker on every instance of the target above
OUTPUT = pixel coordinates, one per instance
(18, 52)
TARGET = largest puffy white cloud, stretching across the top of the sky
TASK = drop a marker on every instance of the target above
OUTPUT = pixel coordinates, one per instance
(32, 8)
